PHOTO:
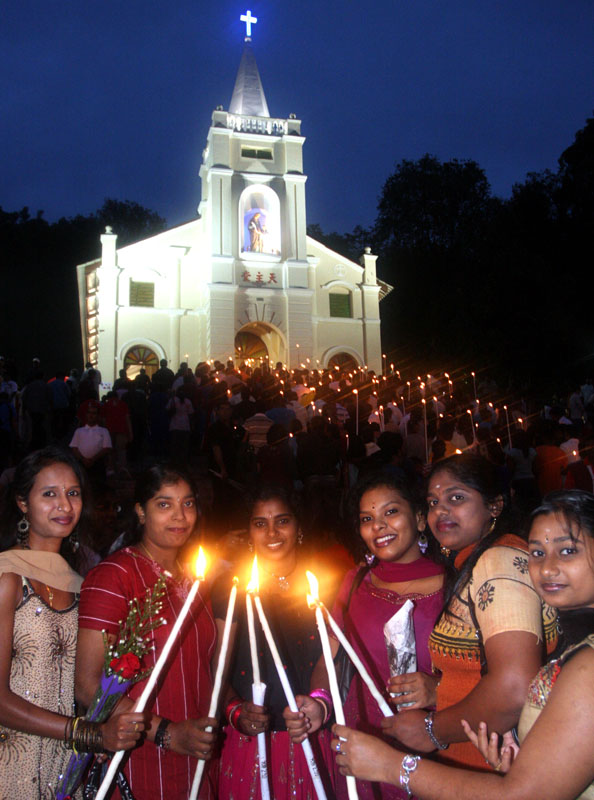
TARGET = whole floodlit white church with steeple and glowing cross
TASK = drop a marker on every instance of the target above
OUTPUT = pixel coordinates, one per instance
(242, 280)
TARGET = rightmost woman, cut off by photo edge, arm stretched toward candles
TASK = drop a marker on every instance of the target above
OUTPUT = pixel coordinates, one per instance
(556, 725)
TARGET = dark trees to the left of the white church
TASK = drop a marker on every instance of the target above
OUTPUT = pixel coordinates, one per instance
(38, 282)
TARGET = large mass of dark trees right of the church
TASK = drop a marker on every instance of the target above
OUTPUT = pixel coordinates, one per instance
(502, 284)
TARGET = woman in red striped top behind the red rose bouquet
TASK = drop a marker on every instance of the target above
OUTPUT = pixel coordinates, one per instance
(163, 767)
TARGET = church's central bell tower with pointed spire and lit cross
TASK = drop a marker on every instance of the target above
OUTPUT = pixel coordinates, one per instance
(253, 201)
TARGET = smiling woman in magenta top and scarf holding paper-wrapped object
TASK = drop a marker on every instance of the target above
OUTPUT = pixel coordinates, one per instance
(389, 521)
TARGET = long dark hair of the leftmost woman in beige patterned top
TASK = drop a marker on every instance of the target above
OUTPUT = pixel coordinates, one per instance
(20, 489)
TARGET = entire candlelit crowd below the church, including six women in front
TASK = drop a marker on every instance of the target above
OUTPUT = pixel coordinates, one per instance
(473, 516)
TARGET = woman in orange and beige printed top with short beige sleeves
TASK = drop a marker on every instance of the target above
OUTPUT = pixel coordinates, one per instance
(490, 638)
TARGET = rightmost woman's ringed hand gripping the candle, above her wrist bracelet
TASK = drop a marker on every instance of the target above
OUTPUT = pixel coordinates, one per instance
(366, 757)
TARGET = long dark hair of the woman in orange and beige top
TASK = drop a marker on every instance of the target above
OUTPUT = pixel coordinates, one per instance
(479, 474)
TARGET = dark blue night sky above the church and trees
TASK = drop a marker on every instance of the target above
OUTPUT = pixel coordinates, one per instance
(113, 99)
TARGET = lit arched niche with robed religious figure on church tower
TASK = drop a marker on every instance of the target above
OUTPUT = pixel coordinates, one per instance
(259, 209)
